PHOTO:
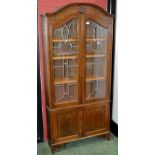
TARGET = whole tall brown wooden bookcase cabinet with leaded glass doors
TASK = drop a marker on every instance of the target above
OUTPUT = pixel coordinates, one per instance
(77, 43)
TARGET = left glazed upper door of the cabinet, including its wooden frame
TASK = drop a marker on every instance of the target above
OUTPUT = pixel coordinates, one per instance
(65, 62)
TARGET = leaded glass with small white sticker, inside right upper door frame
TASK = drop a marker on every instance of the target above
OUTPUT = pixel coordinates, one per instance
(96, 62)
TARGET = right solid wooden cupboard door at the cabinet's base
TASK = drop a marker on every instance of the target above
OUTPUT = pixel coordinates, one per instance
(96, 120)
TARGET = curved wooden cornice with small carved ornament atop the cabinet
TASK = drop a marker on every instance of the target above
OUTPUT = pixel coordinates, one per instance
(81, 6)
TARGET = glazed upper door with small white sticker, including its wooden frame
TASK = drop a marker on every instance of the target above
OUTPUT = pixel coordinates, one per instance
(97, 61)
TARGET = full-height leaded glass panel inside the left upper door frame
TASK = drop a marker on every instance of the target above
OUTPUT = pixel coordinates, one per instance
(65, 62)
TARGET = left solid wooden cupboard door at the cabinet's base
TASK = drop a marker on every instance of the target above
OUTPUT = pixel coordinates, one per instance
(67, 125)
